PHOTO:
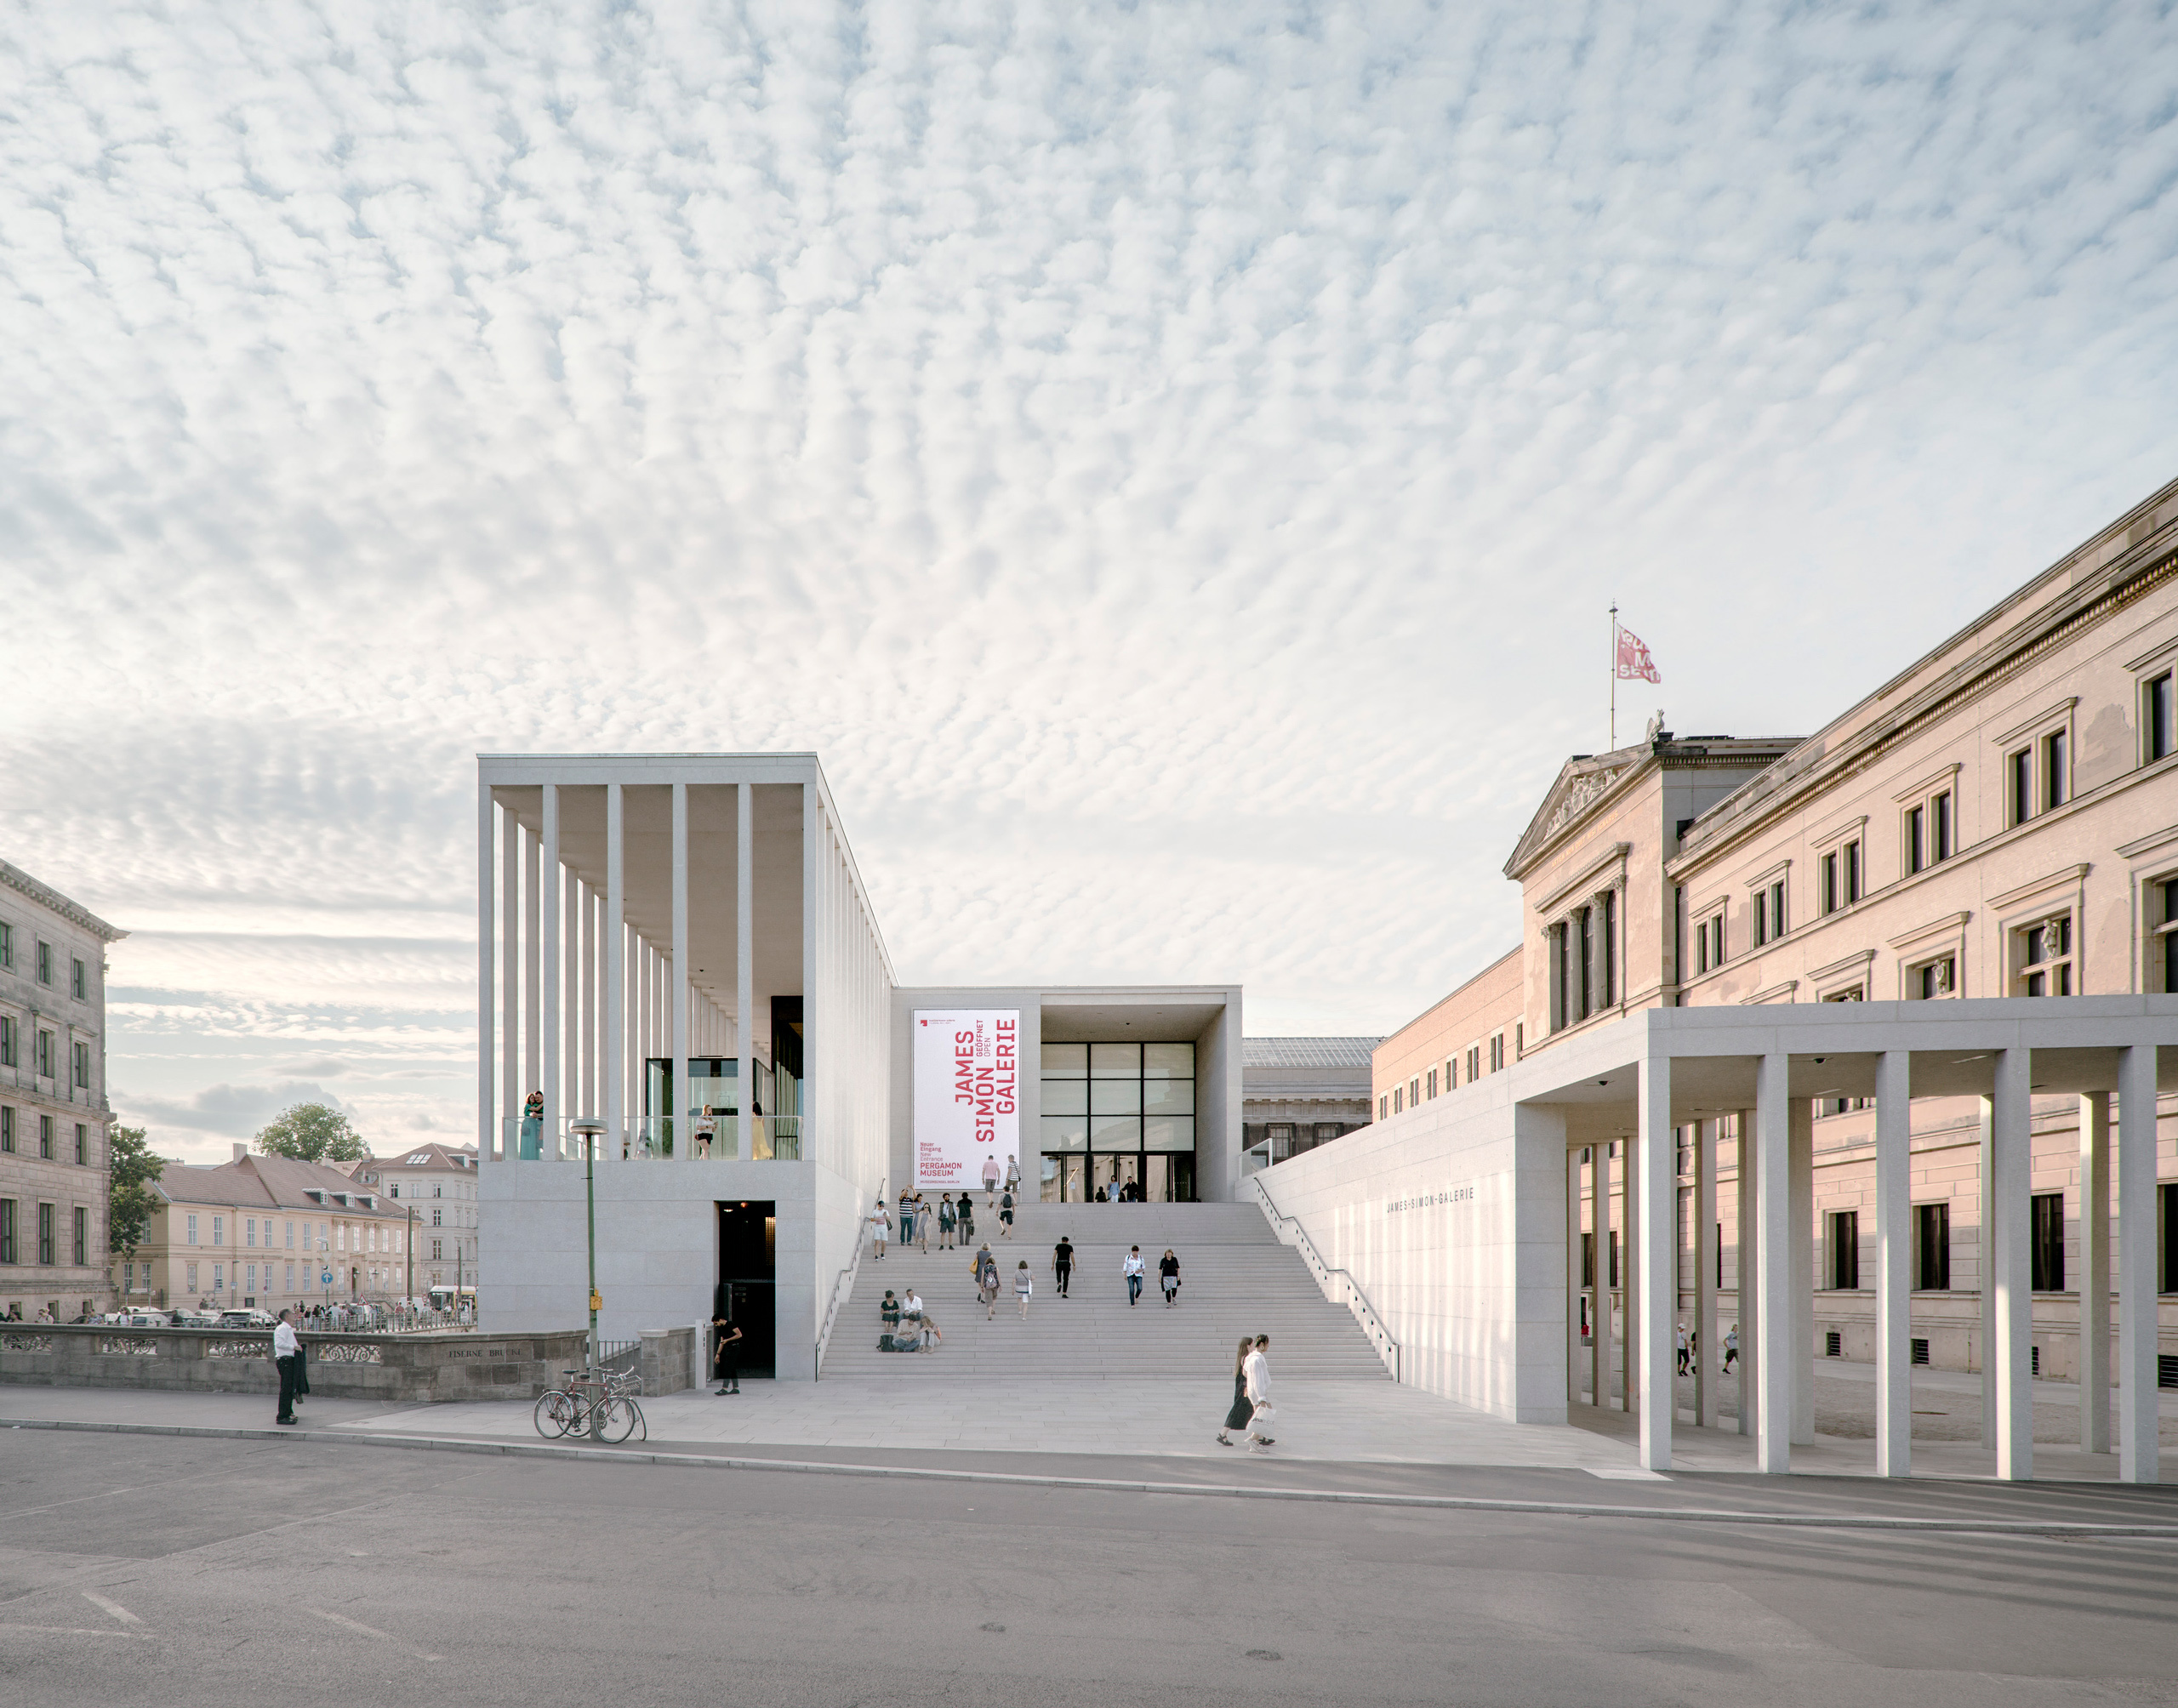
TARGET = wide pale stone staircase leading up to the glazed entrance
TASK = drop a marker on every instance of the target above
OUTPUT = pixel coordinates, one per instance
(1234, 1271)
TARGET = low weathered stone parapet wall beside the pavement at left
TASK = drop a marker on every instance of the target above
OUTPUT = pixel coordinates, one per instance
(395, 1369)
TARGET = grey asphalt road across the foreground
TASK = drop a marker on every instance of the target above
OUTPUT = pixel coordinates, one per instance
(204, 1572)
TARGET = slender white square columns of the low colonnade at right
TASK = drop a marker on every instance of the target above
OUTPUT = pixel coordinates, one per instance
(1776, 1262)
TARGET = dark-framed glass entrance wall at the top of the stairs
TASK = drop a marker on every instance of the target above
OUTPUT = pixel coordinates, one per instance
(1118, 1119)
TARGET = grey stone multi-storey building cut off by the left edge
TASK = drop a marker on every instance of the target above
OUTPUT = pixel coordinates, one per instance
(53, 1101)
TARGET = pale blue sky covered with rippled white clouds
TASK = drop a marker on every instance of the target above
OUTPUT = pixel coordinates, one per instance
(1171, 461)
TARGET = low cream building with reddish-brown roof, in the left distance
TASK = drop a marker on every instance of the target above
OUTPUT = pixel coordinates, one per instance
(267, 1232)
